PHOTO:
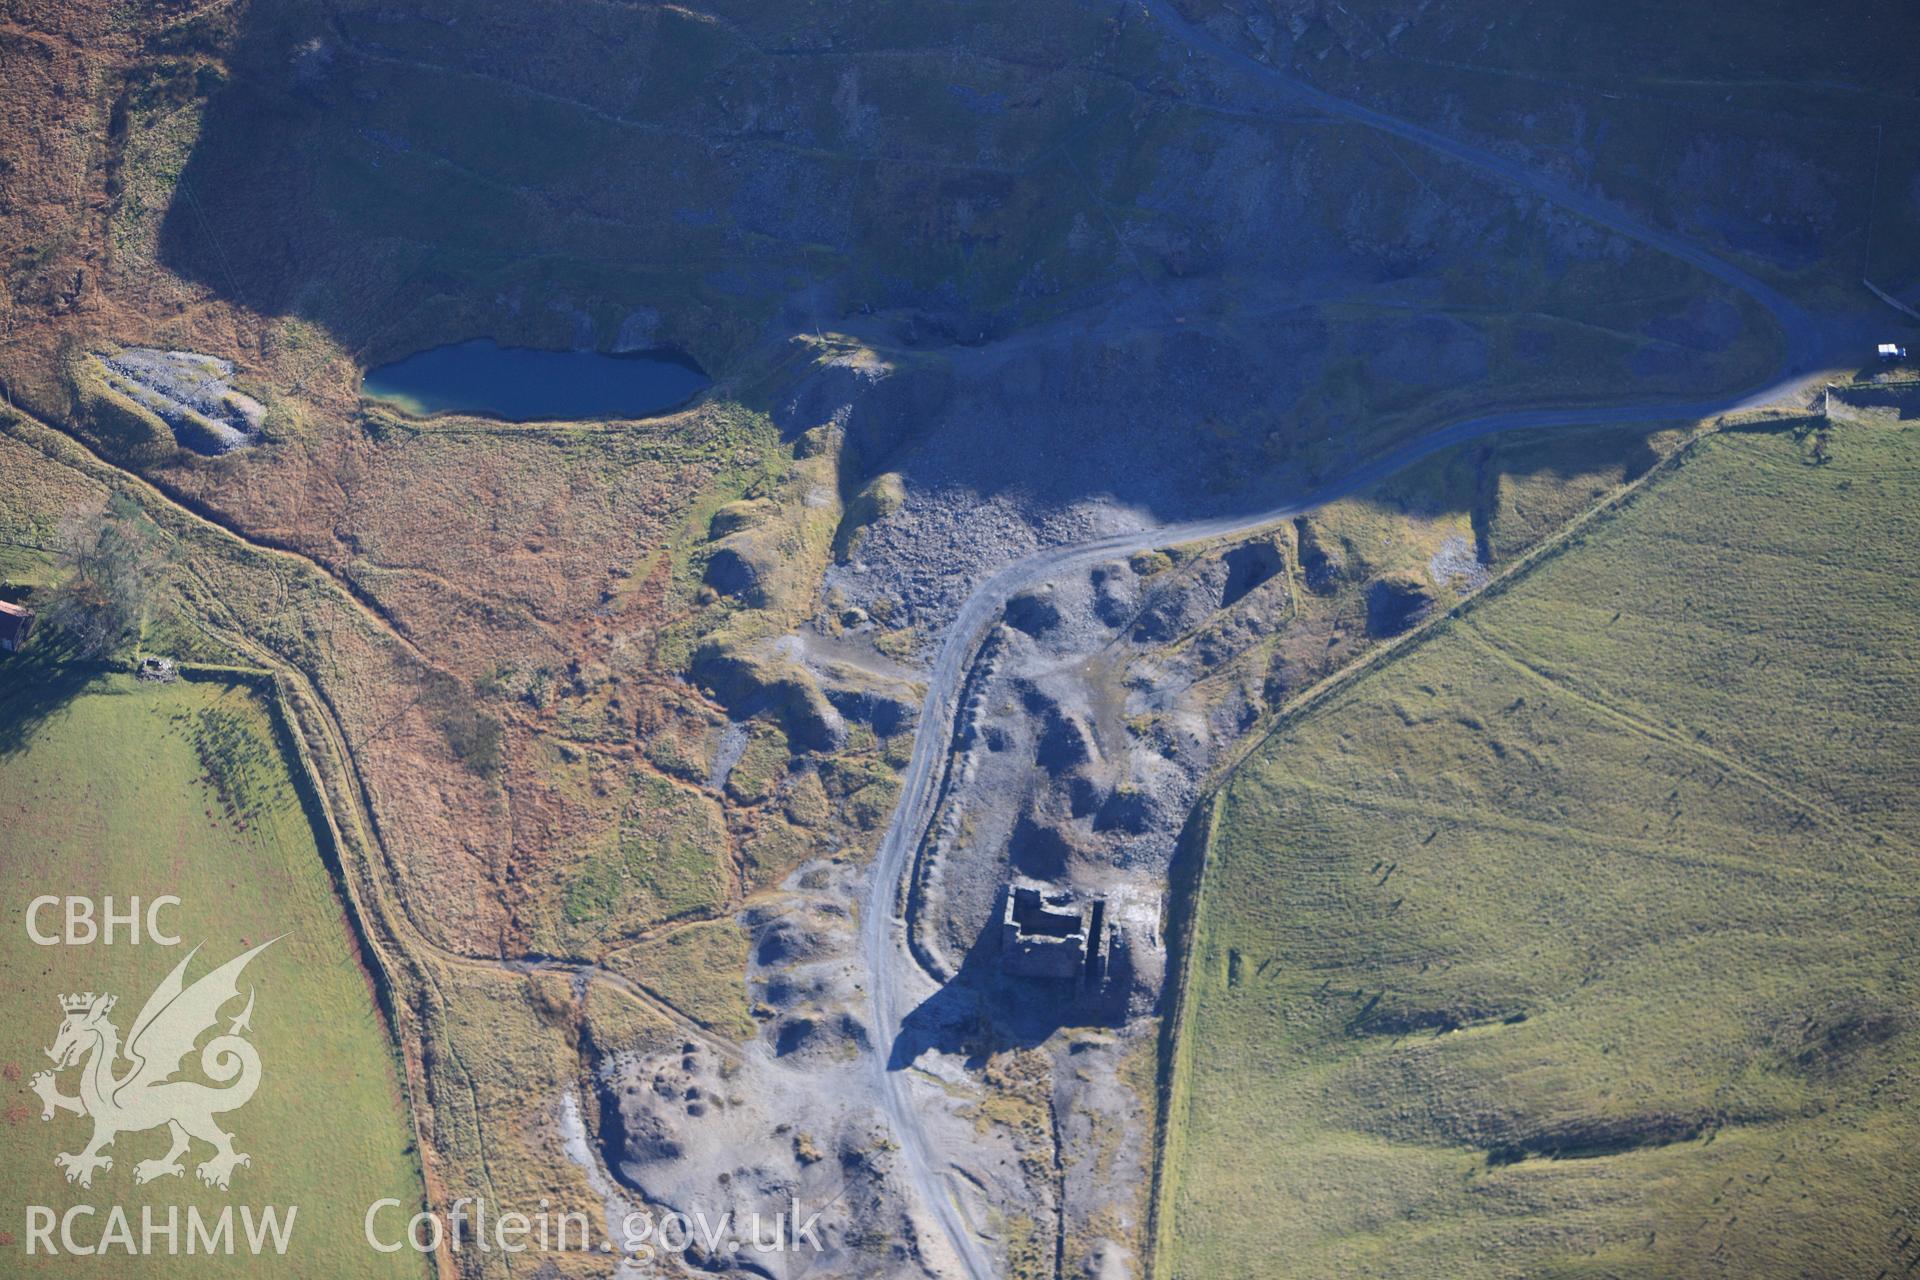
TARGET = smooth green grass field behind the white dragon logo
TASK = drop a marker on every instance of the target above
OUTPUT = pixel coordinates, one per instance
(124, 788)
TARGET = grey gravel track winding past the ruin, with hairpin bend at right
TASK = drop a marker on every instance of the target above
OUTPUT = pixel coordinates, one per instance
(882, 936)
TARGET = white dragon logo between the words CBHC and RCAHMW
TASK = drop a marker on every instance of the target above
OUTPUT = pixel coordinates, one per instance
(147, 1095)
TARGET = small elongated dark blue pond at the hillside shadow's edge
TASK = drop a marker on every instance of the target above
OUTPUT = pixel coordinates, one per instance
(525, 385)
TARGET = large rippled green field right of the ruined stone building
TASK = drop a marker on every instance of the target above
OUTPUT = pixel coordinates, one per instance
(1579, 941)
